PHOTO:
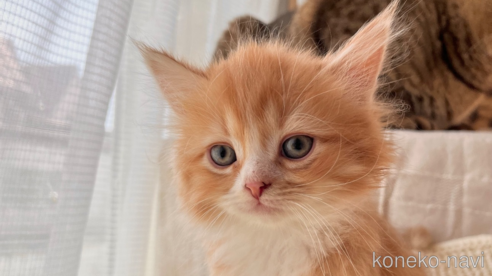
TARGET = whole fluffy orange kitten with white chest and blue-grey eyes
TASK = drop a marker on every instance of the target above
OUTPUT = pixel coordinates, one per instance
(278, 152)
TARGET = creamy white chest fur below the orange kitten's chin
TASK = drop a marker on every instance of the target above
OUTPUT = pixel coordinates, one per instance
(251, 251)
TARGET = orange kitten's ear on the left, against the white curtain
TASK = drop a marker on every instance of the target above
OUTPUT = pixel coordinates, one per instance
(176, 79)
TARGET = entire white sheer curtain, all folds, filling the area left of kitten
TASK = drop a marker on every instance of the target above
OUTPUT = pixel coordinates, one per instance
(80, 149)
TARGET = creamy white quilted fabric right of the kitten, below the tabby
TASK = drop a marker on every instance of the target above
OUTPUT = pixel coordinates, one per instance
(442, 181)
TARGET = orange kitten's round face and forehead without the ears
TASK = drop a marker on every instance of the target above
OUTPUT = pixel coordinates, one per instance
(295, 142)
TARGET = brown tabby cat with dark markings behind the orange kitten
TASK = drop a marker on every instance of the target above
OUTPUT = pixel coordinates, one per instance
(443, 66)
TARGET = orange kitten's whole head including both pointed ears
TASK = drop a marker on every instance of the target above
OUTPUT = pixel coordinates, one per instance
(273, 135)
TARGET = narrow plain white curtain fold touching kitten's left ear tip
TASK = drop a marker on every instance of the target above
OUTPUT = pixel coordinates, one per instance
(138, 131)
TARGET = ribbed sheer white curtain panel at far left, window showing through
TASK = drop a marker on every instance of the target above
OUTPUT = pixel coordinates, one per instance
(59, 63)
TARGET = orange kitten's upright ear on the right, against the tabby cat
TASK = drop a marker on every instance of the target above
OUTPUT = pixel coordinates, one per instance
(360, 61)
